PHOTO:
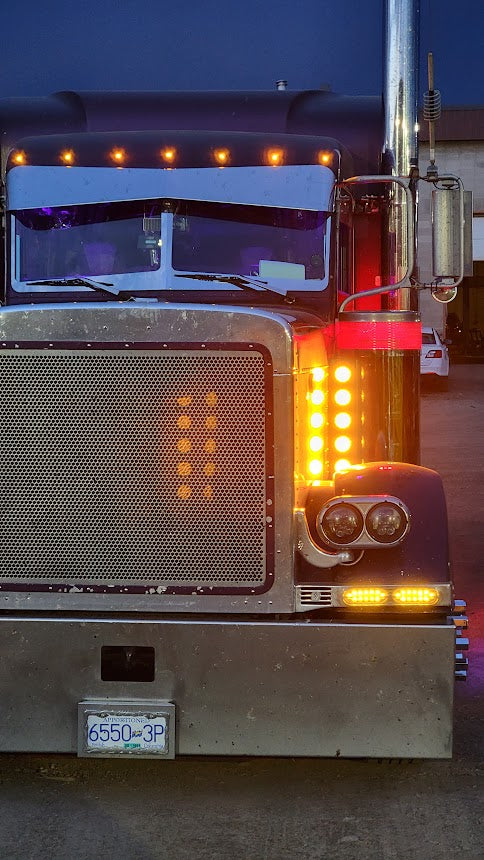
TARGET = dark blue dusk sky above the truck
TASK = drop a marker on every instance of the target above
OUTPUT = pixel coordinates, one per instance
(50, 45)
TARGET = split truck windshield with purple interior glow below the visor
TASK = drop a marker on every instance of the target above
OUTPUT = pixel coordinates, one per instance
(176, 236)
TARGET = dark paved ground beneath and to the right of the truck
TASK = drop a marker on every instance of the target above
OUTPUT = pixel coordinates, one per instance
(263, 809)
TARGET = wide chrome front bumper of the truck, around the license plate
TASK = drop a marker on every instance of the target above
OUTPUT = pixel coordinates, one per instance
(297, 688)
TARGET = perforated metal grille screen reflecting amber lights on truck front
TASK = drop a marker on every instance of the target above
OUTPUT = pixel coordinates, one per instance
(133, 468)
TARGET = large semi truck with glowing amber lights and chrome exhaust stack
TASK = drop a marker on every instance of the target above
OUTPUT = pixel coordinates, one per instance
(216, 535)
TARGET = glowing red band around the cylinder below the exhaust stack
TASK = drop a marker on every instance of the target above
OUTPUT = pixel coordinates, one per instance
(376, 334)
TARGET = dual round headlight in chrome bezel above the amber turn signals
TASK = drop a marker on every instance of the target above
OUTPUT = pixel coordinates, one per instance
(364, 521)
